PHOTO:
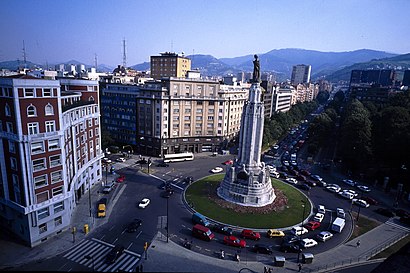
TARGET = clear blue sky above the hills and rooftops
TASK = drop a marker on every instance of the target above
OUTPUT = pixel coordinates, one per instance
(59, 31)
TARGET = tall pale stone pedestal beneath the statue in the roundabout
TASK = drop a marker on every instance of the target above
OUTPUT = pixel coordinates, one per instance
(248, 182)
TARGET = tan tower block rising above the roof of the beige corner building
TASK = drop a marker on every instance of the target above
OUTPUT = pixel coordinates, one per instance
(169, 64)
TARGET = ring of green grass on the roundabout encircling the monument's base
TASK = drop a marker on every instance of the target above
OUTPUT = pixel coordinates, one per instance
(198, 194)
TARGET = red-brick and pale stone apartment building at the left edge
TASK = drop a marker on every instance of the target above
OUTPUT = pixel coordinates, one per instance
(49, 153)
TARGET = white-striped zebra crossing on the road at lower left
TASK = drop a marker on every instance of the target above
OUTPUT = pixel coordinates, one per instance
(99, 250)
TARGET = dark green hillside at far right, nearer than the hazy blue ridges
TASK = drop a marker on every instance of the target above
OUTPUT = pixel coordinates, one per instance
(399, 62)
